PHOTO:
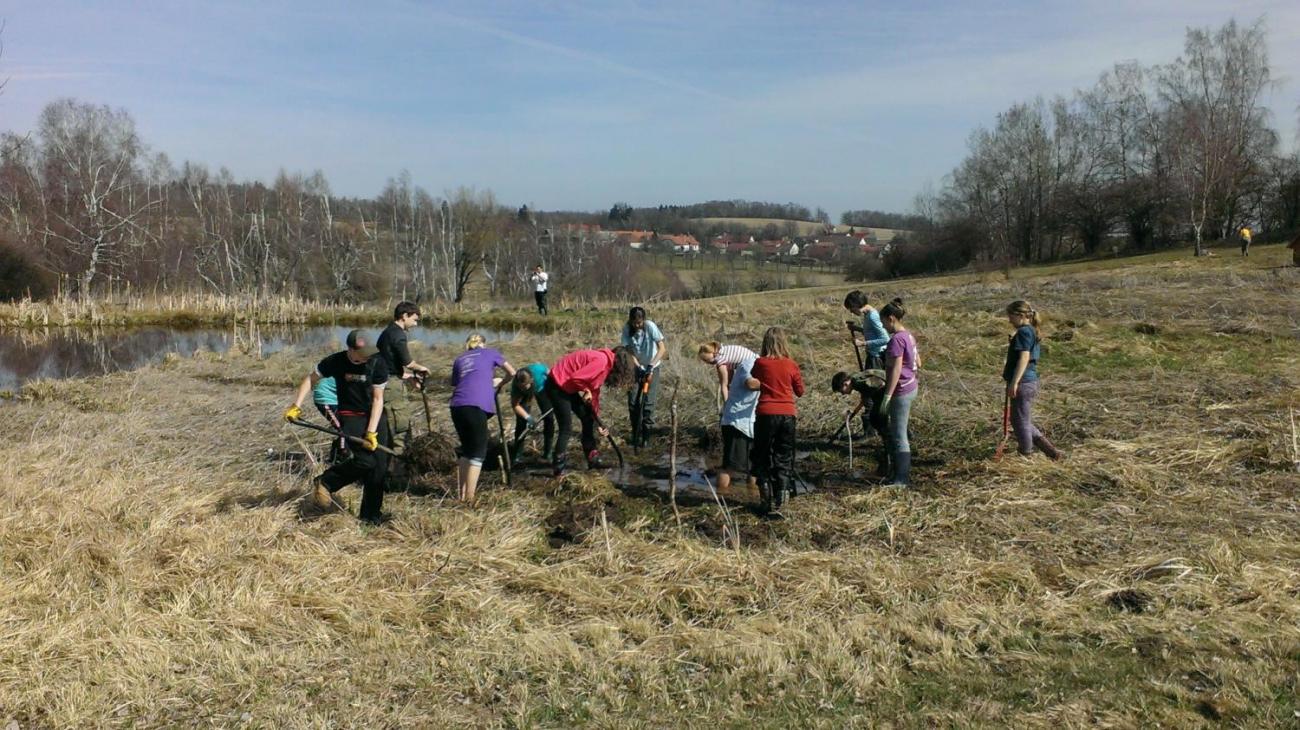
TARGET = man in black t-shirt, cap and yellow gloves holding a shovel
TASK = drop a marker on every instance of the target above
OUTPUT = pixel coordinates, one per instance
(361, 377)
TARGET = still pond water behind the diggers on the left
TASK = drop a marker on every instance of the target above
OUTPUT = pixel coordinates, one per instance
(29, 355)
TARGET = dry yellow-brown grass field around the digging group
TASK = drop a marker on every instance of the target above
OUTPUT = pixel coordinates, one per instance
(159, 568)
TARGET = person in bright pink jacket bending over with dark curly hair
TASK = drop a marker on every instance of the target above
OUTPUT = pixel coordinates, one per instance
(574, 386)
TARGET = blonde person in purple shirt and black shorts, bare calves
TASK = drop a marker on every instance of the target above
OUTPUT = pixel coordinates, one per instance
(474, 401)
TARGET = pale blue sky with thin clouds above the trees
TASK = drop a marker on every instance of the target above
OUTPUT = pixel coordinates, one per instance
(577, 105)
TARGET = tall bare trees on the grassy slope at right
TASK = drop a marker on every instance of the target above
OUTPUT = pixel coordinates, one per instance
(1149, 158)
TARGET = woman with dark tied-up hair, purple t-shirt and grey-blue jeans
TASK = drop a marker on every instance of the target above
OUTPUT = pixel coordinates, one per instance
(902, 384)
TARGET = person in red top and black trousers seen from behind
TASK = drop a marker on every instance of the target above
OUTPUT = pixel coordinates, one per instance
(779, 381)
